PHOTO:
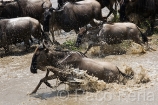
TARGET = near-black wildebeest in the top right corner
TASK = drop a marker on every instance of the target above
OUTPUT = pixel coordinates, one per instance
(144, 8)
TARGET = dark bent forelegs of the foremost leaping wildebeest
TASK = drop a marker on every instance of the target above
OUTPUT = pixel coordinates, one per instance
(45, 81)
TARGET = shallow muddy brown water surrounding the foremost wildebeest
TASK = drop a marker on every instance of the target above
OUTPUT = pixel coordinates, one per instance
(16, 82)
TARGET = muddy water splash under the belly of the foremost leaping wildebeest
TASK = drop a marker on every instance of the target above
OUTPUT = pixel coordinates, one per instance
(86, 82)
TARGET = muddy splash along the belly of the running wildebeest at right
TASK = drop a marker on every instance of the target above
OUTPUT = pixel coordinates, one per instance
(127, 47)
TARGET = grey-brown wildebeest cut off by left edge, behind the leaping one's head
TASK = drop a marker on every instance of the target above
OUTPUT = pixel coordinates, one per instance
(17, 30)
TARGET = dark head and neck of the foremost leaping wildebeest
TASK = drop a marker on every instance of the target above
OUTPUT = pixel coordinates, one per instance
(46, 55)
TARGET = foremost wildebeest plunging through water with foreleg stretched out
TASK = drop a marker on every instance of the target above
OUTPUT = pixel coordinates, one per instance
(47, 59)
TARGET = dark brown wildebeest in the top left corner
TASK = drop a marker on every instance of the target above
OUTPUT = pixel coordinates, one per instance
(23, 8)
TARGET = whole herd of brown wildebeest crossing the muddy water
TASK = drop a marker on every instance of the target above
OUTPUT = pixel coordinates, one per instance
(23, 19)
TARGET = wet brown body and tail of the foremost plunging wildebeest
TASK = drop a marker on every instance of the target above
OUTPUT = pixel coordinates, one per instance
(101, 69)
